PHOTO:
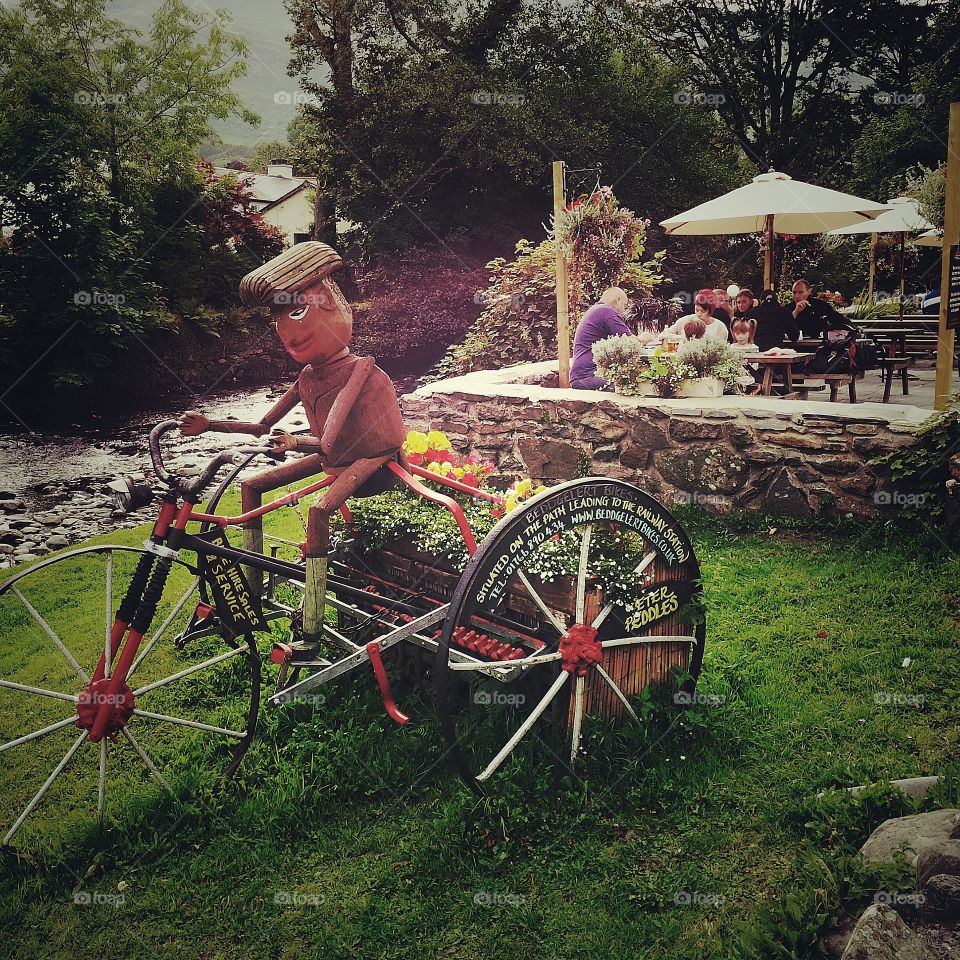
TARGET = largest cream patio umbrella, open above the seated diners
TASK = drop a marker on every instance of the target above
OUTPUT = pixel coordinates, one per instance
(774, 203)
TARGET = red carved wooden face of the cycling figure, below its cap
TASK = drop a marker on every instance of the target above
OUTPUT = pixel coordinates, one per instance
(314, 324)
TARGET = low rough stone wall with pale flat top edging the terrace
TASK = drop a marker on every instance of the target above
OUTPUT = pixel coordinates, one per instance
(797, 458)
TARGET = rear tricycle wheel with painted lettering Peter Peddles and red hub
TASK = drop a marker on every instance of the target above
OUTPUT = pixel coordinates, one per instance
(571, 606)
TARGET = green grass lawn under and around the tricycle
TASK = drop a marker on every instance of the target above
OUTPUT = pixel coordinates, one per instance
(345, 836)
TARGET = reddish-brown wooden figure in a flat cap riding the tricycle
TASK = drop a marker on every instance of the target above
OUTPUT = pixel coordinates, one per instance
(350, 404)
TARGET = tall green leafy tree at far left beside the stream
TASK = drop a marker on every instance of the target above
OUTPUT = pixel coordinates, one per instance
(103, 208)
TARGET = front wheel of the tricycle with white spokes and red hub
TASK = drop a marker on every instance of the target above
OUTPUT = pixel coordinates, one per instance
(184, 717)
